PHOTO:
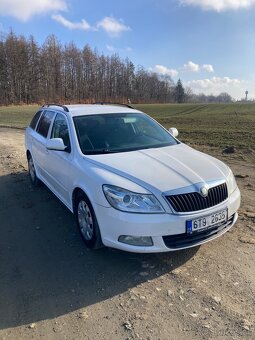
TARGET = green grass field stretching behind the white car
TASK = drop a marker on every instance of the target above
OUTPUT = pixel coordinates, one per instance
(214, 124)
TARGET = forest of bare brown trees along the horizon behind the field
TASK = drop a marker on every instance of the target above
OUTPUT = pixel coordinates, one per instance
(30, 73)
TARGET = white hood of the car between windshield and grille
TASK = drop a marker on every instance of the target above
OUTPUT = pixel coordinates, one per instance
(164, 169)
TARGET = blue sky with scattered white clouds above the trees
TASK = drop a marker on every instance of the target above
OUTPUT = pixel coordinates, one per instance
(208, 44)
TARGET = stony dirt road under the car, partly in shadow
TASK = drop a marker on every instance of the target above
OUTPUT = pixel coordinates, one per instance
(52, 287)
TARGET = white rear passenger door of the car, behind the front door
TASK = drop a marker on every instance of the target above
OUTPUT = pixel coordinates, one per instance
(38, 147)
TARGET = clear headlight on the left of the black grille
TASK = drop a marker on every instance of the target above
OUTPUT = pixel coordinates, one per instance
(129, 201)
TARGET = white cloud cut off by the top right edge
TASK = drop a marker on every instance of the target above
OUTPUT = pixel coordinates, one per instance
(219, 5)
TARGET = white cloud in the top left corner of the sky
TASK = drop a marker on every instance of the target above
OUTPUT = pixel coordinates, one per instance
(24, 10)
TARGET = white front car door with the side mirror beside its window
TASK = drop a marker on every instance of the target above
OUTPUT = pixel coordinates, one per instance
(59, 162)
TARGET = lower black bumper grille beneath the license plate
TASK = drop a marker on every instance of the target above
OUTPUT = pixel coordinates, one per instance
(187, 240)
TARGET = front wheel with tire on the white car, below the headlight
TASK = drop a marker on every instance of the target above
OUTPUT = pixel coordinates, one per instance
(87, 222)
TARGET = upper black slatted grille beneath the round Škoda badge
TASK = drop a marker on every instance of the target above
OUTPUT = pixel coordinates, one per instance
(193, 201)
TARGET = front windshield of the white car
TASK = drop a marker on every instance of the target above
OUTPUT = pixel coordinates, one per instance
(121, 132)
